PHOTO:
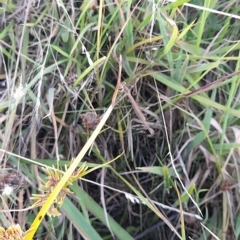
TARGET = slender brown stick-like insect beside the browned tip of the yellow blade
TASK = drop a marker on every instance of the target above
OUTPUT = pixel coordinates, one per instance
(135, 106)
